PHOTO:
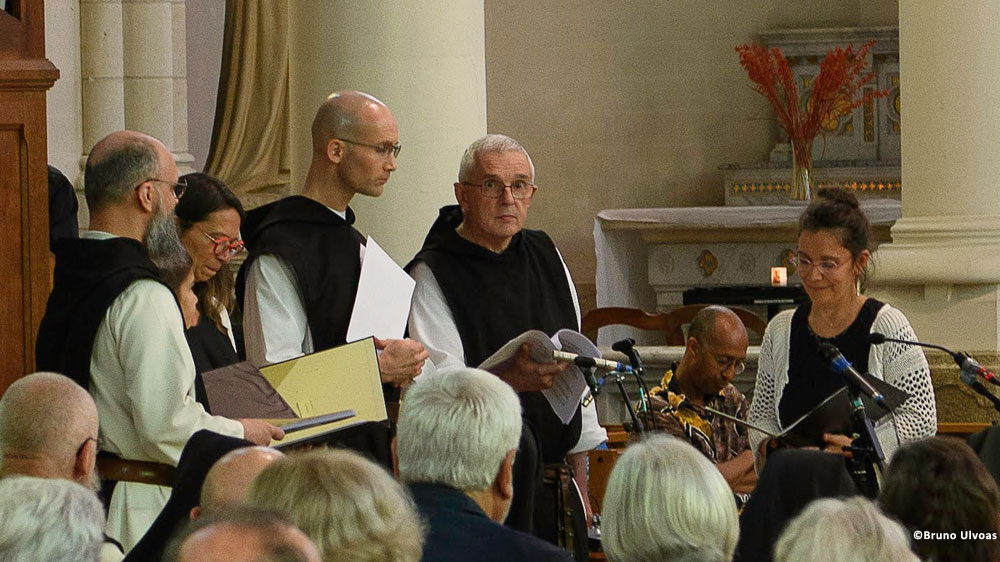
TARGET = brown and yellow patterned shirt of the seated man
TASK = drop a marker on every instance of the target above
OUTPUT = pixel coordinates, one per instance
(716, 437)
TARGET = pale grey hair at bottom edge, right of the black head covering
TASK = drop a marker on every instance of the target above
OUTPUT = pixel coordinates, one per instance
(851, 529)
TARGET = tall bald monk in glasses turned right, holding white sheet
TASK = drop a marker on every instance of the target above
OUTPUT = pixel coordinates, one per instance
(304, 260)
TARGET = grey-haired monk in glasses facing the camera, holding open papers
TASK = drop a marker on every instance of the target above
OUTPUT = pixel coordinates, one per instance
(482, 280)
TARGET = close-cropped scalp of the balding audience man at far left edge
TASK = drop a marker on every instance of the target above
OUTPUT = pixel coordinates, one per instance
(46, 414)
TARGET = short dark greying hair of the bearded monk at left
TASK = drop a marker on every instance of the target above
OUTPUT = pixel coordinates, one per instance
(112, 172)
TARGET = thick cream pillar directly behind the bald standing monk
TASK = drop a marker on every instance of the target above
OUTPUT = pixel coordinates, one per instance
(426, 61)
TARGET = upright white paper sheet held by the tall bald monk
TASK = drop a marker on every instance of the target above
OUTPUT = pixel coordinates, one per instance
(382, 305)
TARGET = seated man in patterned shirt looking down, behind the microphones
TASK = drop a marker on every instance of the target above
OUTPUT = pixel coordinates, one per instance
(716, 350)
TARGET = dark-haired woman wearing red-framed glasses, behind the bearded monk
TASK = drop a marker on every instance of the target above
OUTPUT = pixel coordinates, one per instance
(208, 220)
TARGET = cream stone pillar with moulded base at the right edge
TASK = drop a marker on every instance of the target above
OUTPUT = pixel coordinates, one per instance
(943, 265)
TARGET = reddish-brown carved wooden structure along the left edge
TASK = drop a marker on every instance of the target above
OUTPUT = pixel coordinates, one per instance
(25, 76)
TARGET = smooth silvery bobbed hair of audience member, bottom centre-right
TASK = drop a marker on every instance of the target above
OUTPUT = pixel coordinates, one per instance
(666, 501)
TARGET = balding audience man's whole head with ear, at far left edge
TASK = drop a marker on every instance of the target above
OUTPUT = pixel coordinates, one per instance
(48, 428)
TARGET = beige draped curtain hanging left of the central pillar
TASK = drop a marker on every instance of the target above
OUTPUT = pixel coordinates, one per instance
(249, 150)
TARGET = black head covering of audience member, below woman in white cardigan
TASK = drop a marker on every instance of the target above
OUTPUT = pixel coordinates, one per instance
(791, 479)
